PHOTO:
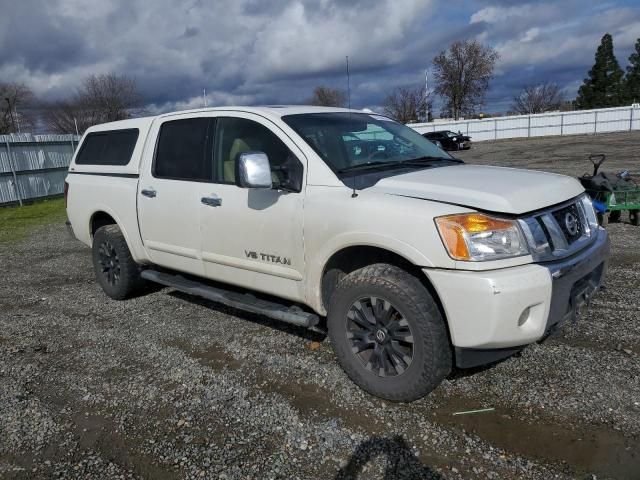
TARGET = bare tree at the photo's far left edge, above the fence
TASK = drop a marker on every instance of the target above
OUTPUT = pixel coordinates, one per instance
(16, 102)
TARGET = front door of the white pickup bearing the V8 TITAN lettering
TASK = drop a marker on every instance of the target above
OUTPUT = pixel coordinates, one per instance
(253, 237)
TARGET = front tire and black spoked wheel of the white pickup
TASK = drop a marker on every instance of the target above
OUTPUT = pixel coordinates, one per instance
(388, 333)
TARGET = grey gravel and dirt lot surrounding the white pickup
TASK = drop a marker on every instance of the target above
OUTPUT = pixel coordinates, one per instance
(167, 386)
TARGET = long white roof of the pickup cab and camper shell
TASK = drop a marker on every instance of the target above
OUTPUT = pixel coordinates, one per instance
(266, 111)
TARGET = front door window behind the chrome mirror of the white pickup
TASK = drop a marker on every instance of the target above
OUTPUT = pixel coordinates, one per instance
(235, 136)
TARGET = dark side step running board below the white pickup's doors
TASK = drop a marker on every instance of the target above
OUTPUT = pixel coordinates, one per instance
(241, 301)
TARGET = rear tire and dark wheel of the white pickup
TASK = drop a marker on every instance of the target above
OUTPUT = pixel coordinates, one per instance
(116, 271)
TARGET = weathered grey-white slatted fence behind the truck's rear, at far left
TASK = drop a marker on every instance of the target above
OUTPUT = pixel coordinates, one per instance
(33, 166)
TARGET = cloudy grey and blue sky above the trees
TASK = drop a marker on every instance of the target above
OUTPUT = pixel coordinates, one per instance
(266, 52)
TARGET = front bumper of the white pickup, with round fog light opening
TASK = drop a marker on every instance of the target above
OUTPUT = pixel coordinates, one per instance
(506, 309)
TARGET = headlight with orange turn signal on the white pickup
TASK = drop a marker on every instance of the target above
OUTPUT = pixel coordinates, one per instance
(477, 237)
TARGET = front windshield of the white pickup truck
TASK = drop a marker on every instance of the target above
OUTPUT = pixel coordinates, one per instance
(347, 140)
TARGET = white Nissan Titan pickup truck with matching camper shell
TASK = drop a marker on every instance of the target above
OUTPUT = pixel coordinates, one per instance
(418, 261)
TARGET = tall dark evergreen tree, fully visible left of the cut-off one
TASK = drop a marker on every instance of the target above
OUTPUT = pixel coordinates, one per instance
(604, 86)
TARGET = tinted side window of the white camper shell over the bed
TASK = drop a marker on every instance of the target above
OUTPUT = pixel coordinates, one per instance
(114, 147)
